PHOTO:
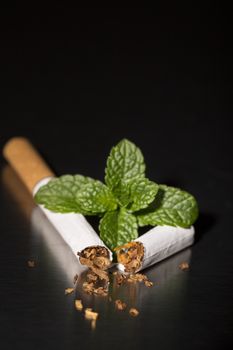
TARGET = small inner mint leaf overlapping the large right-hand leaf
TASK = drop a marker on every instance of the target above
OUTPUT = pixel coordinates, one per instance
(143, 192)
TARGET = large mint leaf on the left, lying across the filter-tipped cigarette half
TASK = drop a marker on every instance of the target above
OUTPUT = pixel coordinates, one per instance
(59, 194)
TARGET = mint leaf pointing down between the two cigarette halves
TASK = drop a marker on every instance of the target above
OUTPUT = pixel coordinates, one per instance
(118, 227)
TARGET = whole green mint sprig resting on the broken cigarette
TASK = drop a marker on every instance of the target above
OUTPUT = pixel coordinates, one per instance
(126, 200)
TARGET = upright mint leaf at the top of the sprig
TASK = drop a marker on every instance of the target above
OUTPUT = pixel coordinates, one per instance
(124, 163)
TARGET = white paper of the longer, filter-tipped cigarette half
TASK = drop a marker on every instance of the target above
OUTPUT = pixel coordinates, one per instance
(73, 228)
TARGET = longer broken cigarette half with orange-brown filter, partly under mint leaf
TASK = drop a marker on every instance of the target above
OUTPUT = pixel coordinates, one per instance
(34, 173)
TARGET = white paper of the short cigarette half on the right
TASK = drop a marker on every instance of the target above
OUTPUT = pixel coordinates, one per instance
(161, 242)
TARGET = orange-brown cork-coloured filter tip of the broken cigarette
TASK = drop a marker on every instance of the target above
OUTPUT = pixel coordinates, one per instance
(26, 161)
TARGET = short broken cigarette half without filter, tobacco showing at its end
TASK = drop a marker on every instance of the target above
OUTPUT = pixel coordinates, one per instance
(155, 245)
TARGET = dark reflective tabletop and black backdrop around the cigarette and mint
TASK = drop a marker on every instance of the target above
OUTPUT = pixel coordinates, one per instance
(75, 82)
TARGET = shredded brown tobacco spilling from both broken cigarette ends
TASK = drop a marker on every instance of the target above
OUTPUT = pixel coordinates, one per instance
(97, 278)
